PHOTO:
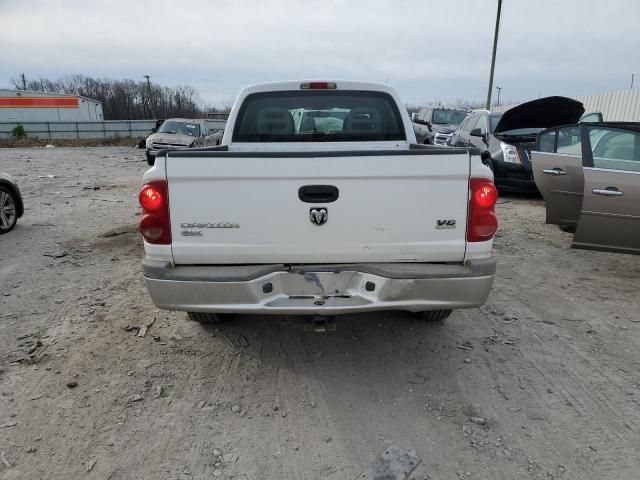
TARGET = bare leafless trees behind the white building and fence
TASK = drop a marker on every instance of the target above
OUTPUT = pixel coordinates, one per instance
(125, 99)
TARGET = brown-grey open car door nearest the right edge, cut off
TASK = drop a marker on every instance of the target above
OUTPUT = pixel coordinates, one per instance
(610, 214)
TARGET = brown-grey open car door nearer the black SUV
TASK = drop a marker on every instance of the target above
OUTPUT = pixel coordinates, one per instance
(557, 171)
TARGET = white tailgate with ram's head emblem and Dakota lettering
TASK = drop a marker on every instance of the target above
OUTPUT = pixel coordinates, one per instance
(244, 208)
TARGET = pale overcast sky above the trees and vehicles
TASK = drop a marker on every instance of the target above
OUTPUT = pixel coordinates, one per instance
(429, 50)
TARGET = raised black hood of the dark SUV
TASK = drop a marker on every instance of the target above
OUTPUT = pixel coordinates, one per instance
(544, 112)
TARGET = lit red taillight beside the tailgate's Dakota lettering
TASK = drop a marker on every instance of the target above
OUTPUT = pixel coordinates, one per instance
(154, 225)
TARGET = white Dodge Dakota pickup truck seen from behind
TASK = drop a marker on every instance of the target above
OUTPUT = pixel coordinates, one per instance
(318, 201)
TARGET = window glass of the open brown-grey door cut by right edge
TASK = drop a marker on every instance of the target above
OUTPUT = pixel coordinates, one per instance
(615, 149)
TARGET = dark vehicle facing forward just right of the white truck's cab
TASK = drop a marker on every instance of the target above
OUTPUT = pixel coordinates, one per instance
(435, 125)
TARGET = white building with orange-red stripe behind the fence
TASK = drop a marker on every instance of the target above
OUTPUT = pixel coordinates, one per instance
(31, 106)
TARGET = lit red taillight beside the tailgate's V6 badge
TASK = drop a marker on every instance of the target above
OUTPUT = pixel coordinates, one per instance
(482, 222)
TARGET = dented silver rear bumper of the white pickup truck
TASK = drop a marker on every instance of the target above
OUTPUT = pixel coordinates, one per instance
(319, 289)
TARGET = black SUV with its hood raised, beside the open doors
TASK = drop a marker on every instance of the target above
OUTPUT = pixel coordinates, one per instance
(506, 139)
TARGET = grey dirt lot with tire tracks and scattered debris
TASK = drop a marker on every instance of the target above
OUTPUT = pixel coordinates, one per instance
(550, 362)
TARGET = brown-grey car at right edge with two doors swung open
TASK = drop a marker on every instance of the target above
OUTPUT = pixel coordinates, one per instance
(589, 176)
